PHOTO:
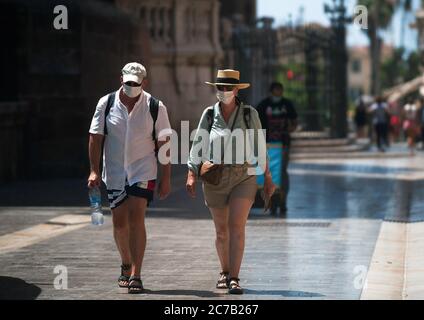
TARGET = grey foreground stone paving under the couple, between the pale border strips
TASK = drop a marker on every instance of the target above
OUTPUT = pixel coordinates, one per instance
(296, 259)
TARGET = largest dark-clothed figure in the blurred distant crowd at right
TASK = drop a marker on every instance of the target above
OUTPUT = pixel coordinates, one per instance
(380, 121)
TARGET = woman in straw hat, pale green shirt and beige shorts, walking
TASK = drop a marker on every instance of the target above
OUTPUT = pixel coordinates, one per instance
(229, 189)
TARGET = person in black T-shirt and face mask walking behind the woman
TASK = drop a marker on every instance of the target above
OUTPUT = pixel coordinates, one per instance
(279, 118)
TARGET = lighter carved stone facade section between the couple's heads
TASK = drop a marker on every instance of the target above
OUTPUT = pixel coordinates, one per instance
(185, 52)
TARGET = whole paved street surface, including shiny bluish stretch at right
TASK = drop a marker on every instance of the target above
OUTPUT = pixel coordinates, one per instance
(321, 250)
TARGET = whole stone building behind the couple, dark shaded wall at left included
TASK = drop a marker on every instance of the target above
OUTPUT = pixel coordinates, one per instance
(52, 79)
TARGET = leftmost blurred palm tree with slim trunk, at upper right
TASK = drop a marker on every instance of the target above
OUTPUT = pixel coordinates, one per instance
(379, 18)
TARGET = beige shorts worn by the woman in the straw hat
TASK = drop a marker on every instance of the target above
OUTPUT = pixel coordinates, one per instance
(235, 183)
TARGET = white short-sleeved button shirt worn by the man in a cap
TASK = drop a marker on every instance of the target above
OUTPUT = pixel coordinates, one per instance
(129, 150)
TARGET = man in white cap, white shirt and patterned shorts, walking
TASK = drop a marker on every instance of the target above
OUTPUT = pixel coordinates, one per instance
(131, 125)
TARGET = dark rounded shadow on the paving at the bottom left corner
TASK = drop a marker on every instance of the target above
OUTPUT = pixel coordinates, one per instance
(17, 289)
